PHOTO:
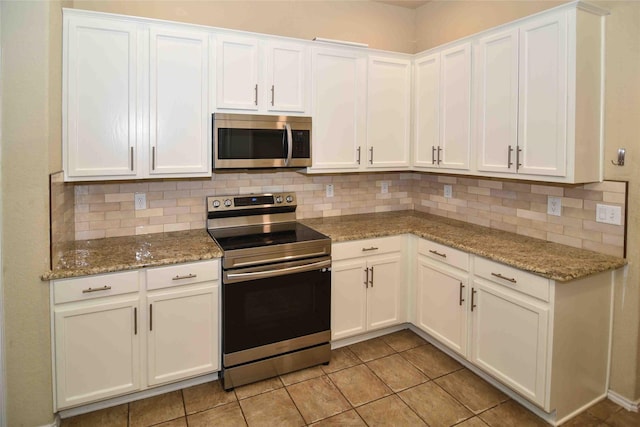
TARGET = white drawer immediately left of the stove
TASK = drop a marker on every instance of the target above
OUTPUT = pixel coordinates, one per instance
(182, 274)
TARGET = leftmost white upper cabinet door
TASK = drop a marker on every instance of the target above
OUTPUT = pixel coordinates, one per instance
(99, 111)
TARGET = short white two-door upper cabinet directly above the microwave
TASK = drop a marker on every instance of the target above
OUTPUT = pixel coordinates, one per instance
(261, 75)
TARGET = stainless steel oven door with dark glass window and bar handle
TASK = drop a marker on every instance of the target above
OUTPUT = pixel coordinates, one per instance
(271, 310)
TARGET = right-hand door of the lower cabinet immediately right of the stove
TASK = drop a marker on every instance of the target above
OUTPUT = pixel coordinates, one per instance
(384, 304)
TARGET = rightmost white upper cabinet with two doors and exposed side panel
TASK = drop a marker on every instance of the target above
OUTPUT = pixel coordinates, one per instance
(538, 98)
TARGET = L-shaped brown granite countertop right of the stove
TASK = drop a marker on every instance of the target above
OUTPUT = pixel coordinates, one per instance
(551, 260)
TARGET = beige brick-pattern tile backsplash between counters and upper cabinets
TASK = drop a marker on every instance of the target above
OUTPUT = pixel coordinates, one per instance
(107, 209)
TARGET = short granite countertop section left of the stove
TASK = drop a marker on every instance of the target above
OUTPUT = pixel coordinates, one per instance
(86, 257)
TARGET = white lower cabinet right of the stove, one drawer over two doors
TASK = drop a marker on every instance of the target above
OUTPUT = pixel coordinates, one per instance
(367, 286)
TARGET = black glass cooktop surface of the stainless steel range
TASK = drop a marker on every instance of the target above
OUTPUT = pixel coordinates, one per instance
(253, 236)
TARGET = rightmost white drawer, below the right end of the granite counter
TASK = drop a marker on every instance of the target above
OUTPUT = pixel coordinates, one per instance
(513, 278)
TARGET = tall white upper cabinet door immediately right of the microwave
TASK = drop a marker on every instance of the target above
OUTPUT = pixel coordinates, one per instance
(339, 109)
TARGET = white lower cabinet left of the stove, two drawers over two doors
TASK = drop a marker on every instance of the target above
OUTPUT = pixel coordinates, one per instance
(108, 343)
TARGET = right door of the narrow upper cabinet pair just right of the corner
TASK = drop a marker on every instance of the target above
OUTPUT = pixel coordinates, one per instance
(455, 107)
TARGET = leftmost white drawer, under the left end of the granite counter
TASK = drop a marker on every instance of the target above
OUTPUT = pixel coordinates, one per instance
(89, 287)
